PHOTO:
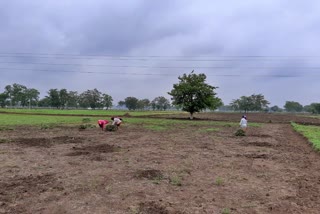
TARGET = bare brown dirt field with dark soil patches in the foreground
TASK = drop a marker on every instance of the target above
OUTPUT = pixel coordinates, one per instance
(182, 170)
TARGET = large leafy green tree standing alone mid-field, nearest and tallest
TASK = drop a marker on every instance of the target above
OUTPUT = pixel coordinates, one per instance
(193, 94)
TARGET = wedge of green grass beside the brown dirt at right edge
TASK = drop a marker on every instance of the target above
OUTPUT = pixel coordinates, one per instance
(312, 133)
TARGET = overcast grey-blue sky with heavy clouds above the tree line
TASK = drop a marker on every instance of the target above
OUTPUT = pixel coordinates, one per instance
(140, 47)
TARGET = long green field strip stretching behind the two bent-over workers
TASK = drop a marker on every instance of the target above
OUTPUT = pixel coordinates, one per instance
(155, 124)
